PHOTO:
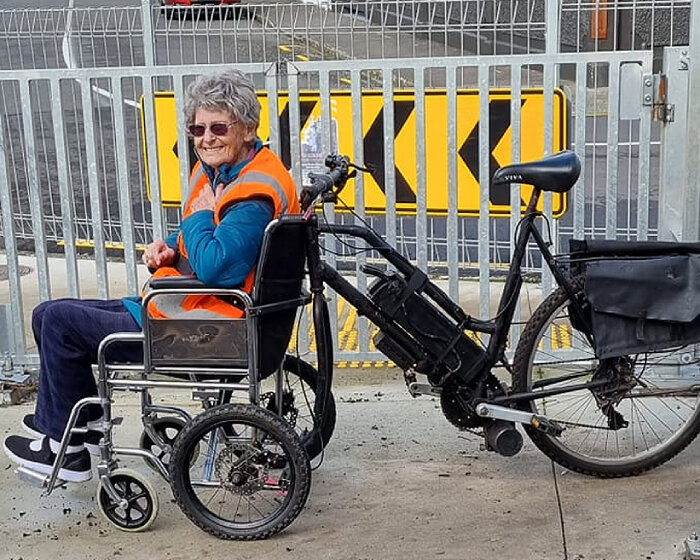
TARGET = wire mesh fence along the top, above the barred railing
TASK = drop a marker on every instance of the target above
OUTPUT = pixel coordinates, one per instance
(330, 30)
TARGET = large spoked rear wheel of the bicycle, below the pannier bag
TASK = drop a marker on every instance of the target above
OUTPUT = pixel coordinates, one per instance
(646, 415)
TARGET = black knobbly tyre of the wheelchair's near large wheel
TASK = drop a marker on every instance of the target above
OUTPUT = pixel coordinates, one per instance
(296, 468)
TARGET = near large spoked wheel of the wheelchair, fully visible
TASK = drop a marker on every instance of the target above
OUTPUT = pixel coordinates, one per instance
(250, 477)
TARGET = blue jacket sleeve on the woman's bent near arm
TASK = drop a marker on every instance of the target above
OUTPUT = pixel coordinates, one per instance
(222, 256)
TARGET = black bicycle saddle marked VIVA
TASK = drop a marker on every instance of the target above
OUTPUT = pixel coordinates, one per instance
(555, 173)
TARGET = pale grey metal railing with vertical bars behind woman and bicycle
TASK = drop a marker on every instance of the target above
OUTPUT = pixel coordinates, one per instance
(62, 145)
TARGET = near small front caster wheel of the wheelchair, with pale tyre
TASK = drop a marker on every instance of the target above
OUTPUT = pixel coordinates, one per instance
(137, 507)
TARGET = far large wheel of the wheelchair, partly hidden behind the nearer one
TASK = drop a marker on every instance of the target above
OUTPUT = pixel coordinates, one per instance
(300, 380)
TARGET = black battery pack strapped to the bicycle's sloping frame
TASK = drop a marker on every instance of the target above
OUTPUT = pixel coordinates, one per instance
(445, 348)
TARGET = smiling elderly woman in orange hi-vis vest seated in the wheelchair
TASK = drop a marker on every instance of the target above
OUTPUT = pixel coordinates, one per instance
(236, 188)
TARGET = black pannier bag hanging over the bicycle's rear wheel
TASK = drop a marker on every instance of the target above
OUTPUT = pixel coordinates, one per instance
(643, 297)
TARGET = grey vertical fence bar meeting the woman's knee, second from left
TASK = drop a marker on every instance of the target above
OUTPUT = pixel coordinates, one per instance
(36, 204)
